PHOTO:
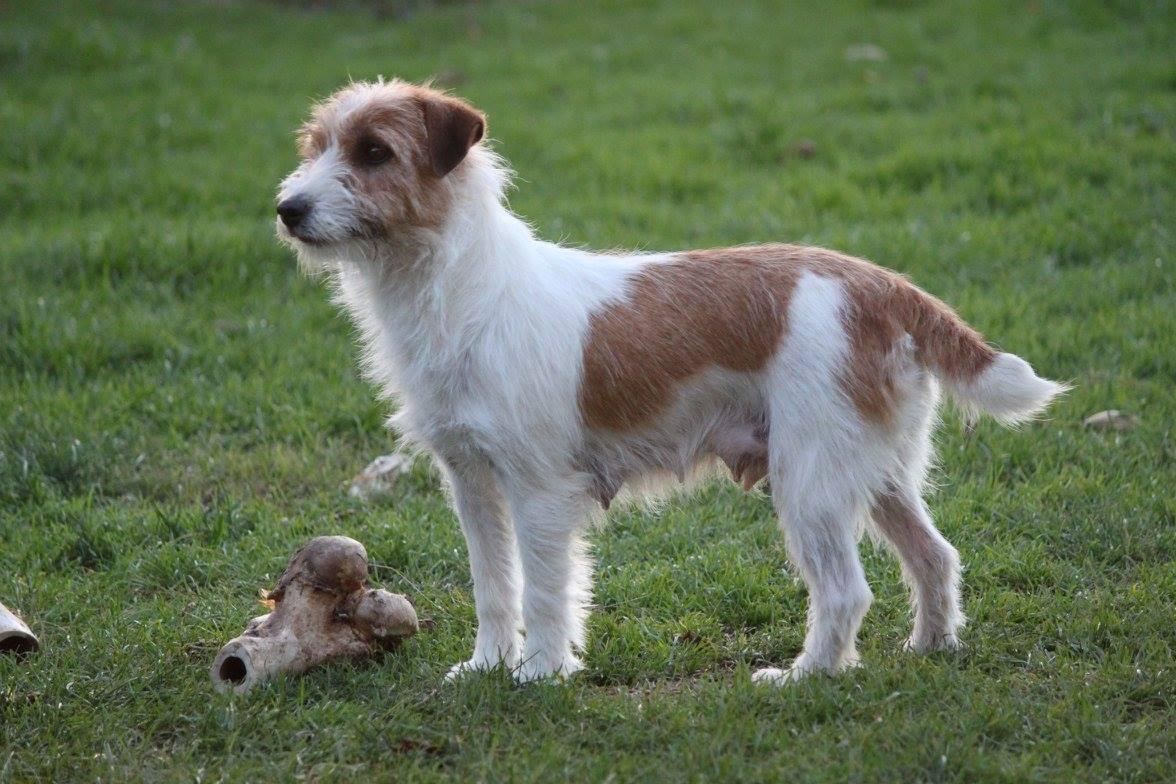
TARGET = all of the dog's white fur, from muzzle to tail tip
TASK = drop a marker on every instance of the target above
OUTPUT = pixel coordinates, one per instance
(478, 331)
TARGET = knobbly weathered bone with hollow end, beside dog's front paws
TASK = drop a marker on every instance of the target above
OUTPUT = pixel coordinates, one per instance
(324, 609)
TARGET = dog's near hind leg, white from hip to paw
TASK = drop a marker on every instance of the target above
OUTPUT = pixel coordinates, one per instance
(824, 464)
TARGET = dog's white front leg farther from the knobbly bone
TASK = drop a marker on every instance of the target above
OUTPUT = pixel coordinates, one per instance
(558, 579)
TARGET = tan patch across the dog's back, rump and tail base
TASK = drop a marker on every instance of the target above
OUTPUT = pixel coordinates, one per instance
(729, 309)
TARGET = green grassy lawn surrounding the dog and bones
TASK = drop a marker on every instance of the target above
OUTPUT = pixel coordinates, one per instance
(179, 410)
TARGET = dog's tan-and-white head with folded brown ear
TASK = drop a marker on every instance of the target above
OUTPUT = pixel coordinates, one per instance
(378, 164)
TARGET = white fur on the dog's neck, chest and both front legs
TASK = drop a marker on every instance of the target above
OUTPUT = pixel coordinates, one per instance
(478, 336)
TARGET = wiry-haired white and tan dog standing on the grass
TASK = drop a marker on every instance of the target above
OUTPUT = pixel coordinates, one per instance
(546, 380)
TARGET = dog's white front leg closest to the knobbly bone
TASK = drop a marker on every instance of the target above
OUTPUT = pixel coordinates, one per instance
(492, 564)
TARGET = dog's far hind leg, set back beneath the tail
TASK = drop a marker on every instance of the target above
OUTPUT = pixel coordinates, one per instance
(931, 566)
